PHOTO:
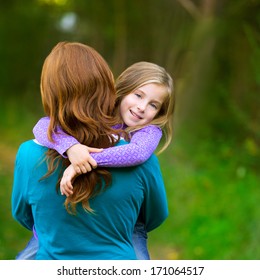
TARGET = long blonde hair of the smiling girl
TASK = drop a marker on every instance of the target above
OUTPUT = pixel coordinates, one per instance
(140, 74)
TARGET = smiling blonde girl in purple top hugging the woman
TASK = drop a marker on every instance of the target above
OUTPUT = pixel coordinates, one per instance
(144, 106)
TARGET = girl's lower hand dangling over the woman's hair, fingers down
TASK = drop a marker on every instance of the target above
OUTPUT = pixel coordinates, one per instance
(67, 179)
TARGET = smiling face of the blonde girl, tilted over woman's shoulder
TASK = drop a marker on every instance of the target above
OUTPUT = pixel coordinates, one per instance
(142, 105)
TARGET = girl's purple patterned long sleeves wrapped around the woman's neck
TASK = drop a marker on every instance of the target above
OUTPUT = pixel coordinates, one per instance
(142, 144)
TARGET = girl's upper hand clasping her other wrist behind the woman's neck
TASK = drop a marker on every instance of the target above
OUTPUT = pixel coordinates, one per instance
(80, 158)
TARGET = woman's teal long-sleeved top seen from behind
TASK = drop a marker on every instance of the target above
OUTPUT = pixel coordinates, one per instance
(104, 234)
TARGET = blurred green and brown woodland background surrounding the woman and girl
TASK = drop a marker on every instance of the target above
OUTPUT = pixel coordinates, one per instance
(212, 50)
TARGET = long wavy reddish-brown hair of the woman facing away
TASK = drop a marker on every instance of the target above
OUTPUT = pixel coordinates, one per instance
(78, 94)
